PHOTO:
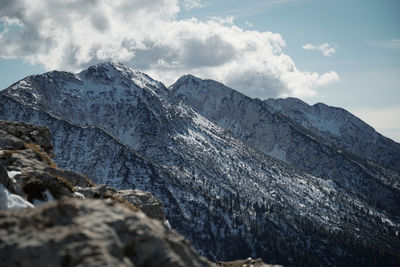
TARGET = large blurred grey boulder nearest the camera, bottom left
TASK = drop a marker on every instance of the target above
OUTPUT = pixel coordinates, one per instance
(90, 233)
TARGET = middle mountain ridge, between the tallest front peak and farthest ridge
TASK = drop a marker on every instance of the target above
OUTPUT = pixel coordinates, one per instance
(250, 119)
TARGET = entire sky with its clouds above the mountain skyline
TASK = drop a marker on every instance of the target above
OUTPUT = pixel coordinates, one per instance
(341, 53)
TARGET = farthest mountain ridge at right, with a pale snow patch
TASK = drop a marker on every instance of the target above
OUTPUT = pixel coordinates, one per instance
(342, 129)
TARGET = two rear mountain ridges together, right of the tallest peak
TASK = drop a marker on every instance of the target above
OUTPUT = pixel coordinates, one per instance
(267, 128)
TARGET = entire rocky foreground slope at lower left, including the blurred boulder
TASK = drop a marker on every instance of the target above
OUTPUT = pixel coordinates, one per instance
(106, 228)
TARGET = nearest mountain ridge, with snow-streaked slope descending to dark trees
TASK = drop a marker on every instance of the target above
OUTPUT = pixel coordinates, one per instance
(217, 190)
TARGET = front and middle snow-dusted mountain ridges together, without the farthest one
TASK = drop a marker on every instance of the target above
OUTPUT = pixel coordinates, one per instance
(219, 189)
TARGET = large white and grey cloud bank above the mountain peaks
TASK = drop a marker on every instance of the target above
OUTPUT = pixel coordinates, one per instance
(146, 35)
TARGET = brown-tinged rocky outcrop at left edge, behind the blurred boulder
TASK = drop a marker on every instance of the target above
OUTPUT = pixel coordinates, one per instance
(26, 155)
